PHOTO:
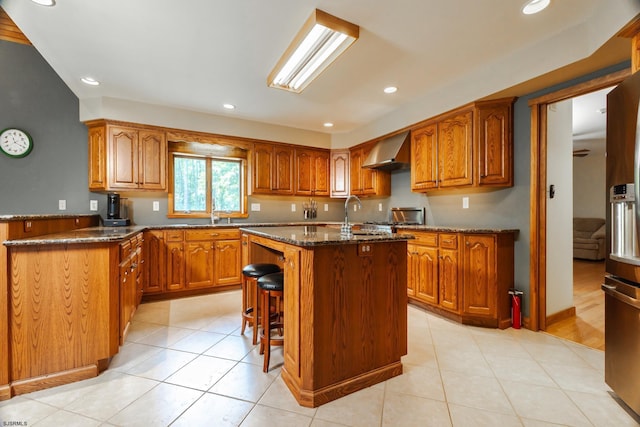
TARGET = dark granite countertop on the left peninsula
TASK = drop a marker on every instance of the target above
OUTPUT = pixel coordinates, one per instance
(82, 235)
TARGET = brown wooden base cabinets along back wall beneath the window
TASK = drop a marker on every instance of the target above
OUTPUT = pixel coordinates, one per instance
(183, 260)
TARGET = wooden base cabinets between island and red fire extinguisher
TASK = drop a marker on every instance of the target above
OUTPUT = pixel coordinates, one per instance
(462, 281)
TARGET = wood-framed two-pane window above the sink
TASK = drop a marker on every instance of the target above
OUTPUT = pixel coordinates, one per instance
(200, 183)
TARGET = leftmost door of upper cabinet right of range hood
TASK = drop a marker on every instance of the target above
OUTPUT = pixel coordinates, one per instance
(424, 158)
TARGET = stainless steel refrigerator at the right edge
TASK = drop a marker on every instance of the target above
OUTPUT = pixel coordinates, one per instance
(622, 278)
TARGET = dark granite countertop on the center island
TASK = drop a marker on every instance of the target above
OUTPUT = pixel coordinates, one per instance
(317, 235)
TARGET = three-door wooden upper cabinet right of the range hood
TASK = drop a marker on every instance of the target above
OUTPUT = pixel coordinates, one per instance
(471, 146)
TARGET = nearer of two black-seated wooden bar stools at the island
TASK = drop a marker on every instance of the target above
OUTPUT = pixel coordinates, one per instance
(272, 289)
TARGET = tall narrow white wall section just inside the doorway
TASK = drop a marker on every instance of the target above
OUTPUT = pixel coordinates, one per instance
(559, 208)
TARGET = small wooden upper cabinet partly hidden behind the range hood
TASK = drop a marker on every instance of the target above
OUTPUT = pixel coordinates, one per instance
(365, 181)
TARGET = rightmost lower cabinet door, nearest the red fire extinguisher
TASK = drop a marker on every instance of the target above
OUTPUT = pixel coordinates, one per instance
(480, 291)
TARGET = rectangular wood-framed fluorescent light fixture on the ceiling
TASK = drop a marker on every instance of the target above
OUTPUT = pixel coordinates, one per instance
(319, 42)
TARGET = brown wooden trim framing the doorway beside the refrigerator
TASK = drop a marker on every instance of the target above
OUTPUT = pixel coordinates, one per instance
(539, 190)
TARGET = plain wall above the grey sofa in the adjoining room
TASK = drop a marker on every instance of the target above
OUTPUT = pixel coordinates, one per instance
(589, 193)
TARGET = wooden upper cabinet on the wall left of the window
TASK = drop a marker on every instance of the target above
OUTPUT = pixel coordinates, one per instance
(123, 157)
